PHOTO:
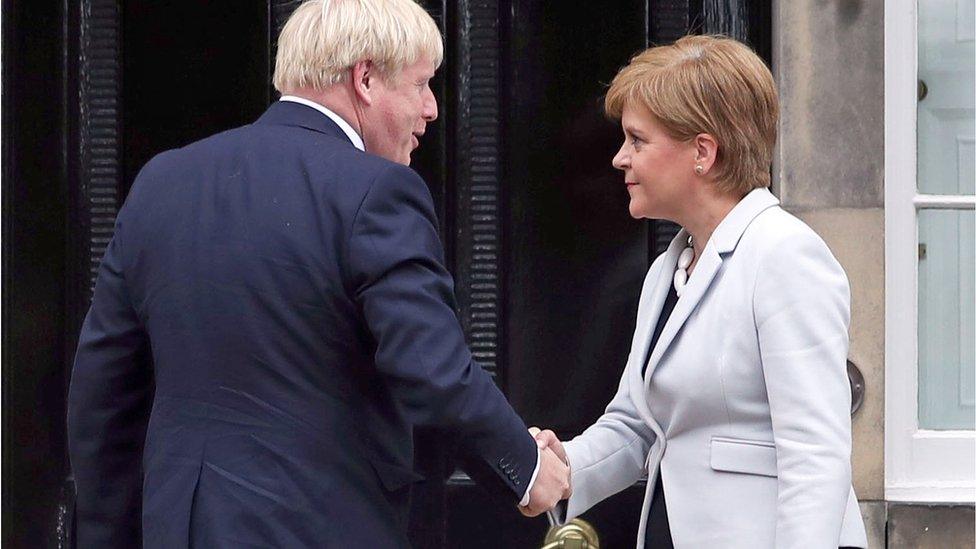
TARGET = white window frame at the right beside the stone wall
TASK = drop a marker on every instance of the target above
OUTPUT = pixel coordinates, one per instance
(920, 465)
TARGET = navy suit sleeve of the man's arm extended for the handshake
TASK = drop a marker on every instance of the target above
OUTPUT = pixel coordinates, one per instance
(406, 296)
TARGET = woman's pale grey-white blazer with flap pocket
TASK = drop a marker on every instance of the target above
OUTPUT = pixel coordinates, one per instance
(745, 406)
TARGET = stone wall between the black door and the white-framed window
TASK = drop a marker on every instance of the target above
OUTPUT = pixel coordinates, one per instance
(828, 60)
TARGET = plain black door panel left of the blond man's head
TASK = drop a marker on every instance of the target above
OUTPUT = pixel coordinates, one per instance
(189, 70)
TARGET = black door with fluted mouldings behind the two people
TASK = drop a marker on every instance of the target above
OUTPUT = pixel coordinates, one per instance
(548, 263)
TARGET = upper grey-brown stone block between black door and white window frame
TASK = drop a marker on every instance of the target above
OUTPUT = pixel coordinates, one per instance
(828, 60)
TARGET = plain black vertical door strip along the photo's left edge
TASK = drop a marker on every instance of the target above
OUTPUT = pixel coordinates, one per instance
(34, 267)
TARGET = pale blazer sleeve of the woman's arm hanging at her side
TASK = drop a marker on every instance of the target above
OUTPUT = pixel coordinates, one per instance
(802, 310)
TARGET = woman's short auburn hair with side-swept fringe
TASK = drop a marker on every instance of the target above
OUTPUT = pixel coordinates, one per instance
(713, 85)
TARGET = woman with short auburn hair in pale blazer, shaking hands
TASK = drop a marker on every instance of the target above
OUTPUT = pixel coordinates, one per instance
(735, 398)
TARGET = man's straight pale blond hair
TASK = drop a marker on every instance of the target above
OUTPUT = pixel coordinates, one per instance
(324, 38)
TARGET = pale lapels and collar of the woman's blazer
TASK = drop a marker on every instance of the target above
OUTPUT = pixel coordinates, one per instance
(723, 240)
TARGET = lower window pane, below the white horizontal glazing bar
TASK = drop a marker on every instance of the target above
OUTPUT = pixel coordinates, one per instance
(946, 306)
